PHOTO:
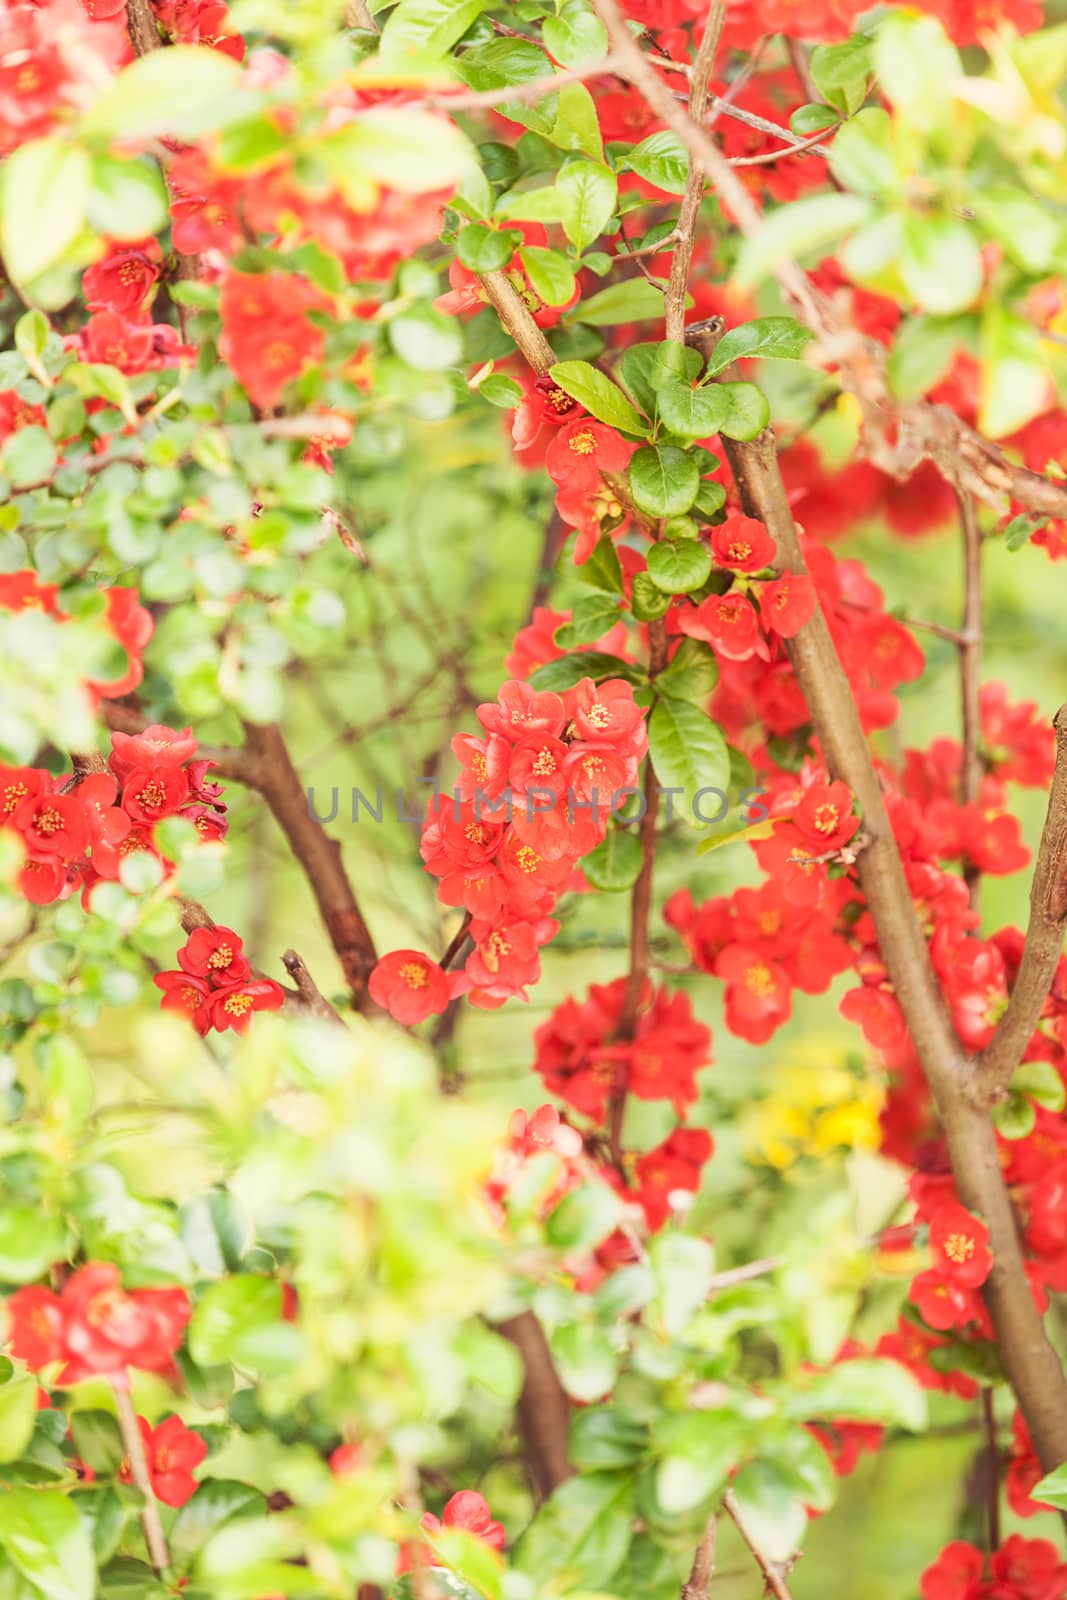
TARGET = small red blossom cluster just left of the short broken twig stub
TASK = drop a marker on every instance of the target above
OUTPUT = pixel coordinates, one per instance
(215, 986)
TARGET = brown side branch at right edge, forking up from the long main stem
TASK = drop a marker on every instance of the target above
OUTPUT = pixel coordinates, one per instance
(1044, 942)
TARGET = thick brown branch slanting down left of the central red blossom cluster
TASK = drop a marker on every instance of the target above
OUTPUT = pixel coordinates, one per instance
(271, 772)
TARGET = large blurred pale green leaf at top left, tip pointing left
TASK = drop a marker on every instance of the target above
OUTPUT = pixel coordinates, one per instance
(178, 92)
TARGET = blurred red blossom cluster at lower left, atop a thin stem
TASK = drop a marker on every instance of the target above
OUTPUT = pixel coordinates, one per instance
(97, 1329)
